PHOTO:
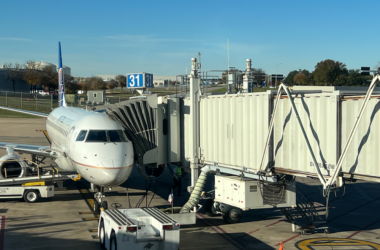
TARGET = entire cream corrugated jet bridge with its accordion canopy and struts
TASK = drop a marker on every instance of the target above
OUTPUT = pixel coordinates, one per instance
(319, 132)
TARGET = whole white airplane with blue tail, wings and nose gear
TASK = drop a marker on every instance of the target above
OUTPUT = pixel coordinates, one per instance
(89, 143)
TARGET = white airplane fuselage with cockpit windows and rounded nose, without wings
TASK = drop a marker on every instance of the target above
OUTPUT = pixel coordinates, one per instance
(103, 161)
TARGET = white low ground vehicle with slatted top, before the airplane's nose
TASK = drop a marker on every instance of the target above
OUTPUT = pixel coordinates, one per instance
(137, 228)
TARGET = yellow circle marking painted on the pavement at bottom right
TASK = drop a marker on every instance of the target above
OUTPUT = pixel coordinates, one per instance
(319, 243)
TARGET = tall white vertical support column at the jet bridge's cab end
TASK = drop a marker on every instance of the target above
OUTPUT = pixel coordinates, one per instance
(194, 118)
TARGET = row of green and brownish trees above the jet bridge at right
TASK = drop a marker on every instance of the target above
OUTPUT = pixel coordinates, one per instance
(328, 73)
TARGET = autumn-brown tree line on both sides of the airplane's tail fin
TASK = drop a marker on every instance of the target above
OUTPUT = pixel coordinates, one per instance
(46, 77)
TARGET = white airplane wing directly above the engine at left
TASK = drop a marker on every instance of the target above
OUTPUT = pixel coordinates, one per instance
(30, 149)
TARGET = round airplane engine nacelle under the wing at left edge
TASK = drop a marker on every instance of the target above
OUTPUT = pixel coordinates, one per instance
(12, 166)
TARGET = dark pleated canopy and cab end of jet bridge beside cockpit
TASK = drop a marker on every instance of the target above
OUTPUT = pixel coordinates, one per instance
(153, 125)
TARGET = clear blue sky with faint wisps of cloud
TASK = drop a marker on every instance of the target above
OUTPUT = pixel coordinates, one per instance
(161, 37)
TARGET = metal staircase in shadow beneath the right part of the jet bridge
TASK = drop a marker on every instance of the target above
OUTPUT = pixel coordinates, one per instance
(304, 216)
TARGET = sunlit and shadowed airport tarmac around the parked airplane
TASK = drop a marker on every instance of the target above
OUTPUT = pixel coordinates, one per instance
(66, 221)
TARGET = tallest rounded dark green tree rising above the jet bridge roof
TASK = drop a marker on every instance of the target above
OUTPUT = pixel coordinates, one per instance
(327, 71)
